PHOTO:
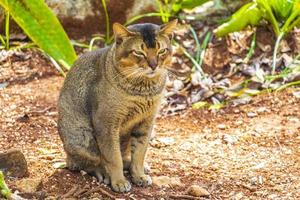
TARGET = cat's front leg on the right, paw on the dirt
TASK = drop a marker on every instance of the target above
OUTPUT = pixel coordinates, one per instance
(140, 140)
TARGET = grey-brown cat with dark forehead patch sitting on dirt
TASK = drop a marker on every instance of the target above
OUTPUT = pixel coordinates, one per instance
(109, 100)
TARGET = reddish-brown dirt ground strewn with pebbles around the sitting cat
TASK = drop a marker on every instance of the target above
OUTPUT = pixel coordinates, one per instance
(245, 152)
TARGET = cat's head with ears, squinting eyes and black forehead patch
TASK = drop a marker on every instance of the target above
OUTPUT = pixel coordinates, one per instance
(143, 50)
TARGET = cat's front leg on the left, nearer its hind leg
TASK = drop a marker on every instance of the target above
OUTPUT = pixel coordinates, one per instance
(107, 135)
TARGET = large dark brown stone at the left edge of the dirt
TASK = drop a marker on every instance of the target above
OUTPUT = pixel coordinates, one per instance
(13, 163)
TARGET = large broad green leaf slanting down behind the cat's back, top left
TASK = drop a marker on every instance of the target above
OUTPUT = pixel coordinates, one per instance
(43, 28)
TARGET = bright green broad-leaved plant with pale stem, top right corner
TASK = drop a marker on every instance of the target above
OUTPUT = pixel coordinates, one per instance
(283, 15)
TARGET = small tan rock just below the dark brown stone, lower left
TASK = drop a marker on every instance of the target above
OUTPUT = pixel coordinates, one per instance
(29, 185)
